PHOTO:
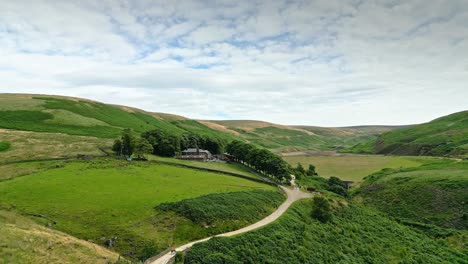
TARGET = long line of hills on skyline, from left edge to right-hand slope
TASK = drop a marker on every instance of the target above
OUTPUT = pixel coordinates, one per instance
(83, 117)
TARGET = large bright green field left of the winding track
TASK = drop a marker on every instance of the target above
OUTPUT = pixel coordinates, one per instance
(106, 198)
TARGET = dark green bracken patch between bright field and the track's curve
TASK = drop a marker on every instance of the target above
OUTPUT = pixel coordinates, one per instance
(217, 209)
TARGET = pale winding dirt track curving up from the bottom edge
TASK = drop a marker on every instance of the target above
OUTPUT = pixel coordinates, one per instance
(293, 195)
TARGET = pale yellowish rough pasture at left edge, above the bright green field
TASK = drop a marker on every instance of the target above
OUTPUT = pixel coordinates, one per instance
(27, 145)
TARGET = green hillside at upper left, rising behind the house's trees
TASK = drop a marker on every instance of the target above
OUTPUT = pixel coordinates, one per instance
(83, 117)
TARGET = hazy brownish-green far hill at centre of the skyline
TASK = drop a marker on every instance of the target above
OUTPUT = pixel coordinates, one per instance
(296, 138)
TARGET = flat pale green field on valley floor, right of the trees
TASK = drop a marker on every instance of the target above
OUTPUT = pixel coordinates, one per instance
(355, 168)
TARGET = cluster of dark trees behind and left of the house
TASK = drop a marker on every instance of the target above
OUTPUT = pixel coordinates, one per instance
(164, 144)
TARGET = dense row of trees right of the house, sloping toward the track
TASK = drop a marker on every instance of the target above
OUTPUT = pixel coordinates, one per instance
(262, 160)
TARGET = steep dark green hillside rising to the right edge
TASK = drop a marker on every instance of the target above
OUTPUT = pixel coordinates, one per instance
(447, 135)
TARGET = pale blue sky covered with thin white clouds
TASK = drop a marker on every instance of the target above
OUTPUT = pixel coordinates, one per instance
(317, 62)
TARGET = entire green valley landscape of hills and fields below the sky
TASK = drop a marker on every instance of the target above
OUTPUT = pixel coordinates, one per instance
(65, 184)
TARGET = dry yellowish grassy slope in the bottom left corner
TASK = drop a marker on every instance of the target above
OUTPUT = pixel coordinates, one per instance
(24, 241)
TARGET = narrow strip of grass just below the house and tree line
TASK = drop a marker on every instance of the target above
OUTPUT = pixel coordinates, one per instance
(227, 167)
